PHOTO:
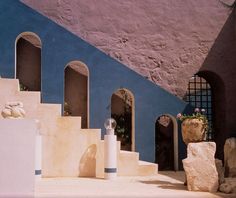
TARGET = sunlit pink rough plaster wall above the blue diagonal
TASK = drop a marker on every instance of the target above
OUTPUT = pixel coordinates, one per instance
(164, 40)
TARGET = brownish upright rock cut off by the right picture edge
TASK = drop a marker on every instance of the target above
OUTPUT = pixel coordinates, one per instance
(230, 157)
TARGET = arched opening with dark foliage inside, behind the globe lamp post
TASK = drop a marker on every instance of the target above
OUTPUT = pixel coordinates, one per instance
(122, 110)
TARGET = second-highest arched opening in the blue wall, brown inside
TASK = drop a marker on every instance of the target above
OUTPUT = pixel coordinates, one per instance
(76, 91)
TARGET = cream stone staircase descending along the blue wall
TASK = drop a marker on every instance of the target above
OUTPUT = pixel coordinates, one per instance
(68, 150)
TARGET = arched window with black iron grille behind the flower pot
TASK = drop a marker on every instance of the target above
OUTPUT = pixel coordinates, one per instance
(199, 95)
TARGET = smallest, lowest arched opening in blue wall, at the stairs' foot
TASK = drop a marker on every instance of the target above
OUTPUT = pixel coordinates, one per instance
(166, 143)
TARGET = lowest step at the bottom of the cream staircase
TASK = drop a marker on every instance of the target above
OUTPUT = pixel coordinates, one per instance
(147, 168)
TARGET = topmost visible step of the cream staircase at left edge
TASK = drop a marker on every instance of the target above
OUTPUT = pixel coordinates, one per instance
(8, 85)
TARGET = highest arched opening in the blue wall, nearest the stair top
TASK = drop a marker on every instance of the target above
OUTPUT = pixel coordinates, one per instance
(28, 61)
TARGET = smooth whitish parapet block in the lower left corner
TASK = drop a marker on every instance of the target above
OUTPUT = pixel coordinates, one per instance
(17, 157)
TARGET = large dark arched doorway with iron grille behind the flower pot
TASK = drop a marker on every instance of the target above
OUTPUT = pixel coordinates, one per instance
(211, 88)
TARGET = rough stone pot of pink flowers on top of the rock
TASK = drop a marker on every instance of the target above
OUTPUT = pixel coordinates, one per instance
(194, 127)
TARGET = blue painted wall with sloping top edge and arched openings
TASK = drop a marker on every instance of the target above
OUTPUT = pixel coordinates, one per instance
(59, 47)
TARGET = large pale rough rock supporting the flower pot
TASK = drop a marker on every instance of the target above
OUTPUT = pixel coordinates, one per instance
(200, 167)
